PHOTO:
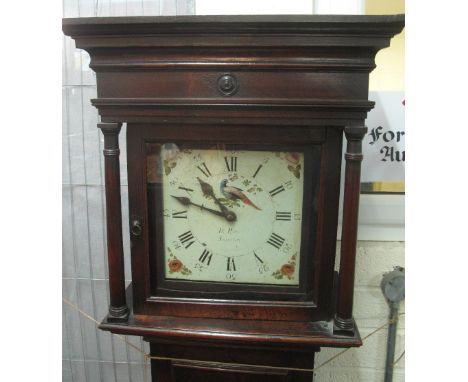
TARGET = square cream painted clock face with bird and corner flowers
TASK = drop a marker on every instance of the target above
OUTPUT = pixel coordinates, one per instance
(232, 216)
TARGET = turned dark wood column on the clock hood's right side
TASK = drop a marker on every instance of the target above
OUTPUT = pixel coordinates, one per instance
(344, 322)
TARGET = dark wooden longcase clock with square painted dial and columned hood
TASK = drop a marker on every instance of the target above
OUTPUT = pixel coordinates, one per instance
(234, 141)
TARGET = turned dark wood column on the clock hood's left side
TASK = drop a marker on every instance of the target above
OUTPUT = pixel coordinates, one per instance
(118, 310)
